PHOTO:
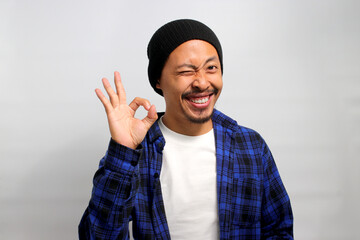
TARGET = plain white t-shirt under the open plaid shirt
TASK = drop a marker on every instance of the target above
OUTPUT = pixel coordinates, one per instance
(188, 184)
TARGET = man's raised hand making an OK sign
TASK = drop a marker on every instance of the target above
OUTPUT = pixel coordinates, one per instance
(125, 129)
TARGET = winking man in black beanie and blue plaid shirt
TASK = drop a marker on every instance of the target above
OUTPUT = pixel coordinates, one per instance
(188, 173)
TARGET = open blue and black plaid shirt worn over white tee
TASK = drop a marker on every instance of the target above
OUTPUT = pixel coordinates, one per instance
(252, 201)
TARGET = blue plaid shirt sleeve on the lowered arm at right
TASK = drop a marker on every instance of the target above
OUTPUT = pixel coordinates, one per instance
(277, 217)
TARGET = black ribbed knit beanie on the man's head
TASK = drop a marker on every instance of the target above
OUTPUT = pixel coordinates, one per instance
(169, 37)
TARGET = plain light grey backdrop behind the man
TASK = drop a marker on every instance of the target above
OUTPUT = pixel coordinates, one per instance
(291, 72)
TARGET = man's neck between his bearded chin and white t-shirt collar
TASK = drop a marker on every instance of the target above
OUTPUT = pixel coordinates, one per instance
(187, 127)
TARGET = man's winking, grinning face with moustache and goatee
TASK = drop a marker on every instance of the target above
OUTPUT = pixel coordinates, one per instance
(191, 82)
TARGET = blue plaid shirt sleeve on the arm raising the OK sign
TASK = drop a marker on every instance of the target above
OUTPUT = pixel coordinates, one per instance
(115, 186)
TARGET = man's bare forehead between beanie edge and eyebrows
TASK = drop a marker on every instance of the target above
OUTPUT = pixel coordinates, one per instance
(193, 50)
